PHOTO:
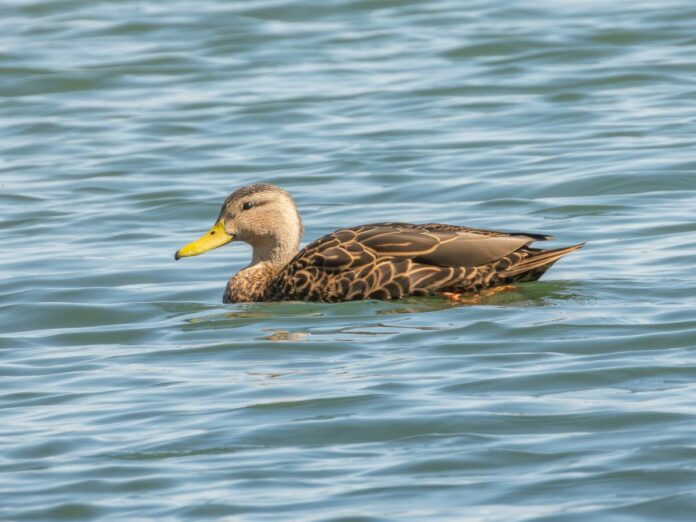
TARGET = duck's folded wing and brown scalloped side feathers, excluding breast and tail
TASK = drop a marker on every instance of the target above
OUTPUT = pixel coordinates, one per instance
(391, 260)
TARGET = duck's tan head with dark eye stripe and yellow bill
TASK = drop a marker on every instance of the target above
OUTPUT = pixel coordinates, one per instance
(262, 215)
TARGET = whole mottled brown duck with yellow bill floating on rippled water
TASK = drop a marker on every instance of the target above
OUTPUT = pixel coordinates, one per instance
(376, 261)
